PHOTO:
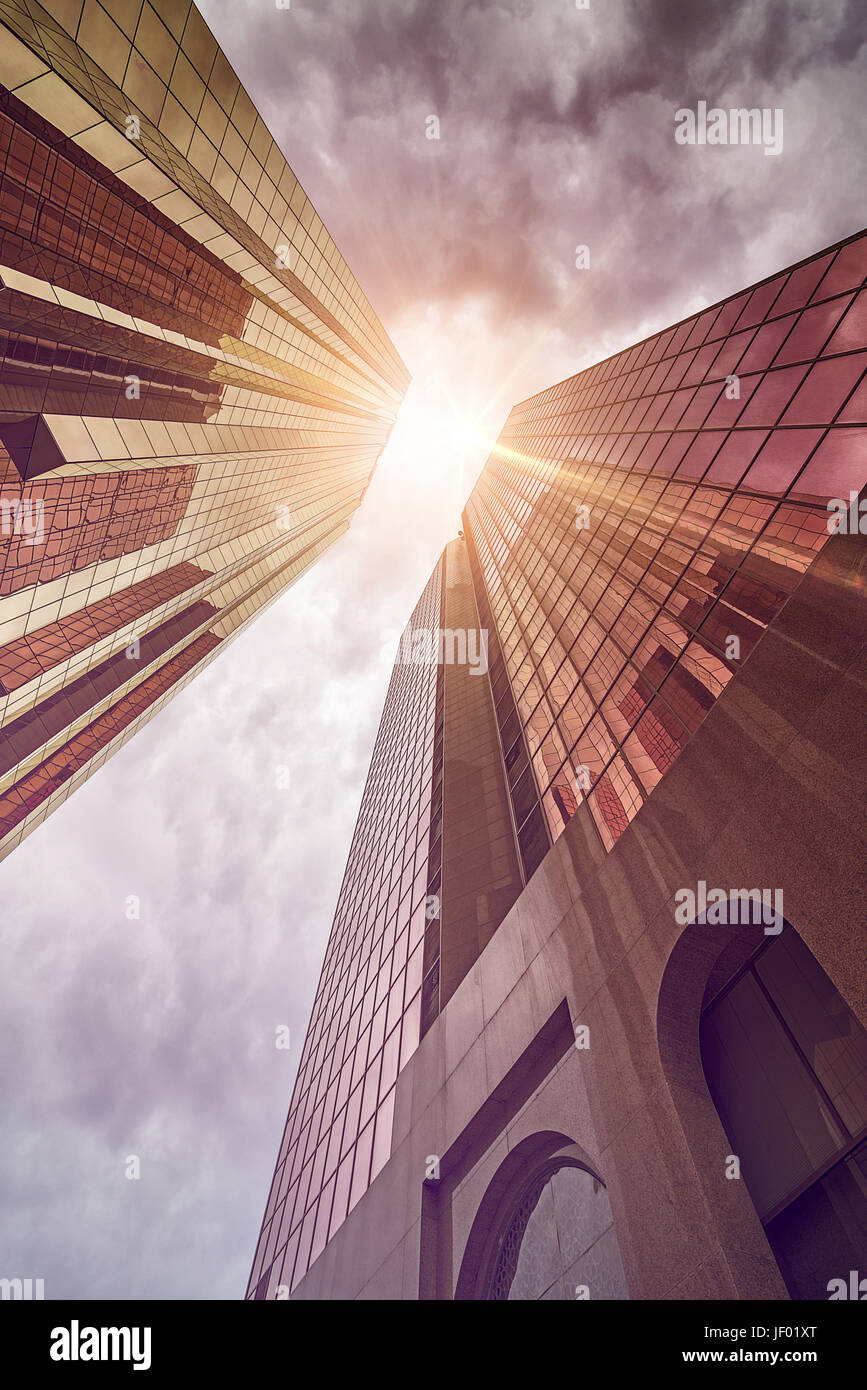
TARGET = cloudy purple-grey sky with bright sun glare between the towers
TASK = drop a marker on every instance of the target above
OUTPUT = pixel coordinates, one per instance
(155, 1038)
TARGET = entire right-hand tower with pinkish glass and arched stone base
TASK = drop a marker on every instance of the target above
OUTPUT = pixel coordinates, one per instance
(591, 1020)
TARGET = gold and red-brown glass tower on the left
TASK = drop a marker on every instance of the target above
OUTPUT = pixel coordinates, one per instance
(194, 389)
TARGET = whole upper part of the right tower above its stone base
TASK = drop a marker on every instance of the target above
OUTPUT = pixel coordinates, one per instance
(631, 537)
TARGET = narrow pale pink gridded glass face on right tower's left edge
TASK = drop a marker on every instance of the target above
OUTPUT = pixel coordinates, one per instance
(368, 1010)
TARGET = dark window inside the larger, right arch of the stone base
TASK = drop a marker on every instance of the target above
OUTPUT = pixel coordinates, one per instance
(787, 1067)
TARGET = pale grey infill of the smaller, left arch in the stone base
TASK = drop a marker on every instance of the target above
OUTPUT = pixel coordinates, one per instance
(556, 1239)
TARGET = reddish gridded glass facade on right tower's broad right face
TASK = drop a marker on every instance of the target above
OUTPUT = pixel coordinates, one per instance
(640, 525)
